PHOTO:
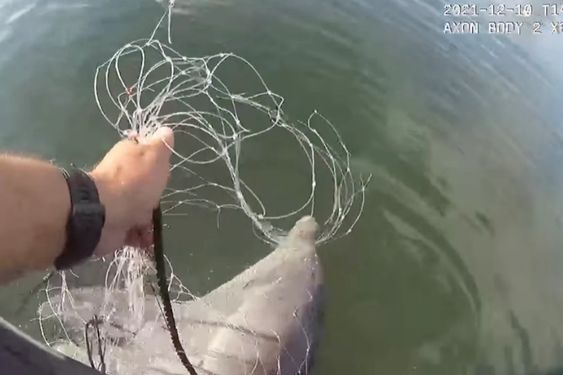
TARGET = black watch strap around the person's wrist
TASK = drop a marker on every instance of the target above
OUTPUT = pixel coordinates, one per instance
(86, 219)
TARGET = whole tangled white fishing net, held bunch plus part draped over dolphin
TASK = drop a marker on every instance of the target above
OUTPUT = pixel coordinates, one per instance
(147, 84)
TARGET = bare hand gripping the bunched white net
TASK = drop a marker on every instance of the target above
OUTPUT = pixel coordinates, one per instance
(130, 180)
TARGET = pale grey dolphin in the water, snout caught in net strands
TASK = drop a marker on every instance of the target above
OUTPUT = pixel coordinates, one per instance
(265, 321)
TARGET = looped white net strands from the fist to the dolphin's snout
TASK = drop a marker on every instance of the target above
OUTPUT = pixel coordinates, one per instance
(228, 137)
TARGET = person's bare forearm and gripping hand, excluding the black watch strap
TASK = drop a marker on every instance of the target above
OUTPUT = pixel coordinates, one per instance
(35, 203)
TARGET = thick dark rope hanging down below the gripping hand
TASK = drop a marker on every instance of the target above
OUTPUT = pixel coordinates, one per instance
(162, 280)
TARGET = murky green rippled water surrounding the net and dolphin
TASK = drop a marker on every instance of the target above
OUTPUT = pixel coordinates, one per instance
(456, 265)
